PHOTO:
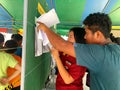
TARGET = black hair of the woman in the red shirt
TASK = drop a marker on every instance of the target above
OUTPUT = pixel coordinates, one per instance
(79, 34)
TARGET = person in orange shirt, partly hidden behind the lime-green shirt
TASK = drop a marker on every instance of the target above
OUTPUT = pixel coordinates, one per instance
(15, 82)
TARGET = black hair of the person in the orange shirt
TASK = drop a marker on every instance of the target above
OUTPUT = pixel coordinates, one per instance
(11, 45)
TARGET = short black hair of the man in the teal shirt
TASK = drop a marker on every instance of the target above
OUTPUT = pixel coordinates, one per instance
(99, 21)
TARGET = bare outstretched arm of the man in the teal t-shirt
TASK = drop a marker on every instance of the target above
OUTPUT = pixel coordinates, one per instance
(57, 42)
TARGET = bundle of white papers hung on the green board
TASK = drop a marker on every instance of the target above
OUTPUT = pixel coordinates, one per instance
(50, 18)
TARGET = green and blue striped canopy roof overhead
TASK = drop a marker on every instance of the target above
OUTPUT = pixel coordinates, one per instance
(70, 12)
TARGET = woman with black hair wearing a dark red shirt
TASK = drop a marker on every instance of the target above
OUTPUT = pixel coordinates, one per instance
(70, 75)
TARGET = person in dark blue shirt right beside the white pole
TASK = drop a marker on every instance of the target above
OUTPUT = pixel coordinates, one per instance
(18, 38)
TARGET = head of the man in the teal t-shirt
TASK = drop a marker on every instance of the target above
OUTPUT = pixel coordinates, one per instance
(97, 25)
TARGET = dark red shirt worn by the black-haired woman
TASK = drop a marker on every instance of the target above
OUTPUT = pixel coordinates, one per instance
(76, 71)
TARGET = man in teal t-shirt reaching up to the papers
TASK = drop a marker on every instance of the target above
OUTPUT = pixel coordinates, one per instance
(100, 55)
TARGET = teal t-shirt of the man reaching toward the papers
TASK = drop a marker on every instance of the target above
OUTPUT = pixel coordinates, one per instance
(104, 66)
